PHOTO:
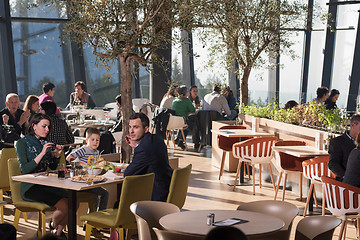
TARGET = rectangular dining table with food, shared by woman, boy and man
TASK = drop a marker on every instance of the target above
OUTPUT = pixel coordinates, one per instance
(71, 186)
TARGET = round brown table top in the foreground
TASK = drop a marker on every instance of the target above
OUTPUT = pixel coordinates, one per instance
(194, 222)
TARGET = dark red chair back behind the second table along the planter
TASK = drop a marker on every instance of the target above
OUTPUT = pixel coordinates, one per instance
(287, 161)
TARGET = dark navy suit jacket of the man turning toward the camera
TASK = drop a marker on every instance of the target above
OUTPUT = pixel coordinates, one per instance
(150, 156)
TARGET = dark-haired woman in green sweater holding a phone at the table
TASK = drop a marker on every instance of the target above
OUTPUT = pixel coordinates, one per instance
(34, 155)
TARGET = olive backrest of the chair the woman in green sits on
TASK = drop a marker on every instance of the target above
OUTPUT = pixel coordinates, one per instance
(14, 170)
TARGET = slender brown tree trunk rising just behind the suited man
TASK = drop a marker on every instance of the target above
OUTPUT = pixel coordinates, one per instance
(126, 104)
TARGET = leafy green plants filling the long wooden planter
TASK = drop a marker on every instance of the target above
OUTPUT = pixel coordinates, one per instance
(310, 114)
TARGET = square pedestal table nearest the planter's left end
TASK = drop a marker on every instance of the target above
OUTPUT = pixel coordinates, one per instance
(240, 133)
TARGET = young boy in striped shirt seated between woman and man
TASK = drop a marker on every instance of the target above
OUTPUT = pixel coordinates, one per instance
(92, 143)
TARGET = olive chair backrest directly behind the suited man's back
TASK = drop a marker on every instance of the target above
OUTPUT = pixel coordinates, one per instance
(179, 186)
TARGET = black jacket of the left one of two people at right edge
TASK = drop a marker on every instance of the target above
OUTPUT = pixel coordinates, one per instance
(339, 150)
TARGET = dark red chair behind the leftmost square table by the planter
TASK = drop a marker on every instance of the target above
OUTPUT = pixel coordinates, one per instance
(225, 144)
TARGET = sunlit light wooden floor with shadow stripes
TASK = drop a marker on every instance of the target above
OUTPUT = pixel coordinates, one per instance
(205, 192)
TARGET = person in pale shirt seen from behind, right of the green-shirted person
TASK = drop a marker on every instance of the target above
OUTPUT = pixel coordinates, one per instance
(217, 102)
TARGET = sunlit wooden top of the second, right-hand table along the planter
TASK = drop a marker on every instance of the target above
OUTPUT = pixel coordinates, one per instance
(301, 151)
